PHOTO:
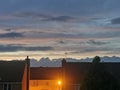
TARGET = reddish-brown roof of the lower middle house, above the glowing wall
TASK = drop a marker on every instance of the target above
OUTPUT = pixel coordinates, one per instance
(45, 73)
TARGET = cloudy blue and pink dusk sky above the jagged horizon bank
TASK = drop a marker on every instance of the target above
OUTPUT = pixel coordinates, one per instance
(59, 28)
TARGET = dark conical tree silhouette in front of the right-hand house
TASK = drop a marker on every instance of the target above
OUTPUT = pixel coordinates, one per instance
(98, 78)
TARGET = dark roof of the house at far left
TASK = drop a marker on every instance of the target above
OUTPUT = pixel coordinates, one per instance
(11, 71)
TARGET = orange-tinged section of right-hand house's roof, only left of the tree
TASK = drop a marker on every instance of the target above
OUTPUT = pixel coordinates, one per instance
(74, 72)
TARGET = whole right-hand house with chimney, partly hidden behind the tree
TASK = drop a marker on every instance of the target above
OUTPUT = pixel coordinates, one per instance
(73, 73)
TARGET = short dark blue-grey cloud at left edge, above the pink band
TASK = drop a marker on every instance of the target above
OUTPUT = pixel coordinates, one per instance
(11, 35)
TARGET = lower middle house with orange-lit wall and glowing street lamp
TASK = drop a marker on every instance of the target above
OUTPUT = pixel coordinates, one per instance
(45, 78)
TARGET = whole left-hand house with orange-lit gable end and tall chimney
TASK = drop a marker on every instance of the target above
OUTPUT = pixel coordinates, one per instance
(14, 75)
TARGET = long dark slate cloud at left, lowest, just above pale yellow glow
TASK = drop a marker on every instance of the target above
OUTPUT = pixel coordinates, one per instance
(13, 48)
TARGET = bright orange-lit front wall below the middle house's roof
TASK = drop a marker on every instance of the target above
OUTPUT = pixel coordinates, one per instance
(44, 85)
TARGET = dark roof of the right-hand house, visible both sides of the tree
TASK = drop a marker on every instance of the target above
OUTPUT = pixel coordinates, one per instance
(74, 72)
